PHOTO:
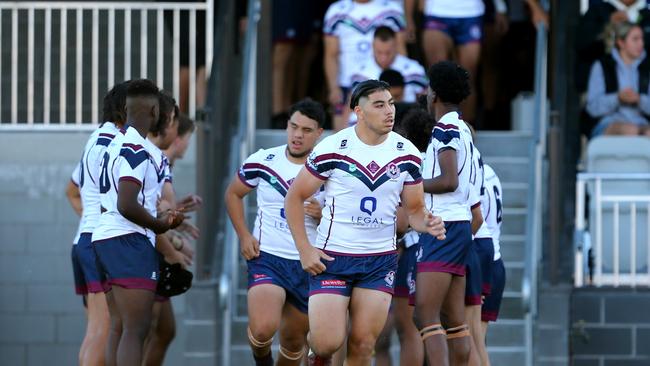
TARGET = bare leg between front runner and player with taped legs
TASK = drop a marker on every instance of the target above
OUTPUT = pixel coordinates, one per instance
(411, 349)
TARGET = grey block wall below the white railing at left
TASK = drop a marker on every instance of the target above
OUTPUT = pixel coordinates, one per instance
(42, 321)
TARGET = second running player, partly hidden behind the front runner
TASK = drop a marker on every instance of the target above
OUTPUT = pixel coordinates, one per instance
(277, 285)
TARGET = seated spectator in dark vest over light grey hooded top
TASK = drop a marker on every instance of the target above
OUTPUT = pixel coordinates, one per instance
(617, 92)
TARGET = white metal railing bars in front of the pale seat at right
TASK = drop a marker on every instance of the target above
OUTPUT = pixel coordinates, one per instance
(589, 268)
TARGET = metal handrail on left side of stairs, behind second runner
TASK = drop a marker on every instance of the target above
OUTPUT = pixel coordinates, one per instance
(242, 143)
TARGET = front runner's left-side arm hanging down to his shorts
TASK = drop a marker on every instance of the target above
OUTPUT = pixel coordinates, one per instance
(303, 187)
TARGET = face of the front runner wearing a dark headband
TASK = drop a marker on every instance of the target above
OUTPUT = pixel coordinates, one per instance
(377, 112)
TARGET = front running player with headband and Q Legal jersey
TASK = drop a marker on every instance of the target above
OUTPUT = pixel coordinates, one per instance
(366, 170)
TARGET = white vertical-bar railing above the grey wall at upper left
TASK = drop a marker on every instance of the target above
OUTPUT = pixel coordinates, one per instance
(74, 20)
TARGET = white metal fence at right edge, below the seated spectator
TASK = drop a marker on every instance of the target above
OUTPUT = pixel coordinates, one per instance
(617, 223)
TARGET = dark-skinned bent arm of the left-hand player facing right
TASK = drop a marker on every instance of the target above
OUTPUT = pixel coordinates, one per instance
(130, 208)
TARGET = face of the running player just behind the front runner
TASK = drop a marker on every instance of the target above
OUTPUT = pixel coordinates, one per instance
(302, 134)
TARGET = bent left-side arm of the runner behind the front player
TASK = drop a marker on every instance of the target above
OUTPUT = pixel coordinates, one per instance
(234, 197)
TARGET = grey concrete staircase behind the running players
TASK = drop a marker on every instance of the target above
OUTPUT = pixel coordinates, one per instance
(507, 153)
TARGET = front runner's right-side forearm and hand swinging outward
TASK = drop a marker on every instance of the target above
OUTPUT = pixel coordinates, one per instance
(419, 218)
